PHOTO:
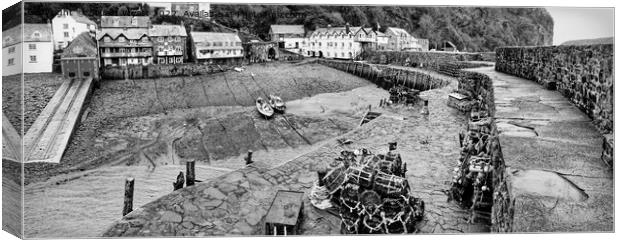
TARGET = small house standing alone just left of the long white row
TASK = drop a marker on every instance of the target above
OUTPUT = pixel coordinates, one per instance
(289, 37)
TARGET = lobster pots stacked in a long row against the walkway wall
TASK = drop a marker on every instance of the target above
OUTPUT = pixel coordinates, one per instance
(472, 180)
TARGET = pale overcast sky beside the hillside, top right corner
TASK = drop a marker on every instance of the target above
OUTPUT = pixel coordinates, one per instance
(572, 23)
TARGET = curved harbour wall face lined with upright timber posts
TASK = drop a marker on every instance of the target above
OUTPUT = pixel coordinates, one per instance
(385, 76)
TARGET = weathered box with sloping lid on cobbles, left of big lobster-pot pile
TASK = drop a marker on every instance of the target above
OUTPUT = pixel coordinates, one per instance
(285, 214)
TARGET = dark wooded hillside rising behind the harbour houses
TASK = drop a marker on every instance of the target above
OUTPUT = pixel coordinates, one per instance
(469, 28)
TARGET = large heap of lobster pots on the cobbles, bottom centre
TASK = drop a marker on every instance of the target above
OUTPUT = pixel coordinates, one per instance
(372, 193)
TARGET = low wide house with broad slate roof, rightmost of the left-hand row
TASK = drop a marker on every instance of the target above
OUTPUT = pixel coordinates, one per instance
(216, 47)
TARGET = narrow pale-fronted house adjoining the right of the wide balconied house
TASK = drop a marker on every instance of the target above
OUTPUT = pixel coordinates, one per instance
(169, 43)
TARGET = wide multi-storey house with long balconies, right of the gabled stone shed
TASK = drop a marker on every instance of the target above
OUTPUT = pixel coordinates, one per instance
(124, 40)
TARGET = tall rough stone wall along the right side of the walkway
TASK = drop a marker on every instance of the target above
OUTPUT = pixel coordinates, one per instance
(583, 74)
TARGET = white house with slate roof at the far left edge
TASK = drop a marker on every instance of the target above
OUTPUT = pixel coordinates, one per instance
(33, 52)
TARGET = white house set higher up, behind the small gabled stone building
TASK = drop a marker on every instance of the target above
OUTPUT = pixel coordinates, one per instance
(67, 25)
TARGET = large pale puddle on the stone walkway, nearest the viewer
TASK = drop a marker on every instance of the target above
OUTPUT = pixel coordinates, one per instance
(545, 183)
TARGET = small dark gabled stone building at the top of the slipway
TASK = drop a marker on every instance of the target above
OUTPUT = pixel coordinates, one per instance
(79, 59)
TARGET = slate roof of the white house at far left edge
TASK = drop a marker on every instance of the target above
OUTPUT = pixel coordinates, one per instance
(14, 35)
